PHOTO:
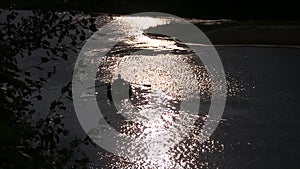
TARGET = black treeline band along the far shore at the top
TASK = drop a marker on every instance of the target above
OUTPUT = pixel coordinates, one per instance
(241, 10)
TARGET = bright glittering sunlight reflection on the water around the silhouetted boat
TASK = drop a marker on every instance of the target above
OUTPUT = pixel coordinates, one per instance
(162, 73)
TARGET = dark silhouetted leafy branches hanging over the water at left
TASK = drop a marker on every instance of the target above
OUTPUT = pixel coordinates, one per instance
(31, 139)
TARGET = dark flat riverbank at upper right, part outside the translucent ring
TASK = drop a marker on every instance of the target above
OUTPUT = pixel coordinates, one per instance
(283, 33)
